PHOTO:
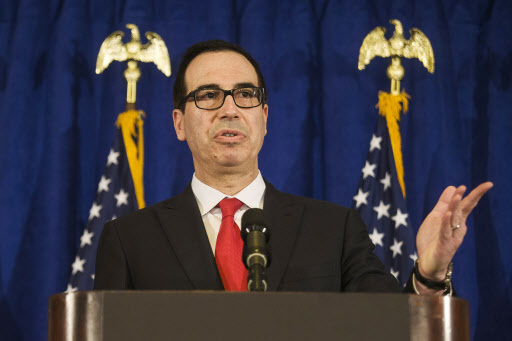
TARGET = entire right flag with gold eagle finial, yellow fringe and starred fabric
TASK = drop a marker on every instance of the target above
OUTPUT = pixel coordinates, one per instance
(380, 199)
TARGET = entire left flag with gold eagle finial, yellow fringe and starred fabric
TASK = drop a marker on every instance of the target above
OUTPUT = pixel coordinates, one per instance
(121, 188)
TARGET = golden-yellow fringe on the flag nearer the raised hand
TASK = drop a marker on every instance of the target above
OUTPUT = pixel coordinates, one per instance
(390, 106)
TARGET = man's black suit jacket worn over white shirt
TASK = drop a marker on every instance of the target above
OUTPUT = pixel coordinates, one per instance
(316, 246)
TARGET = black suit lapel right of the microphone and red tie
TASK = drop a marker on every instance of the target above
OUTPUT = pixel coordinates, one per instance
(283, 214)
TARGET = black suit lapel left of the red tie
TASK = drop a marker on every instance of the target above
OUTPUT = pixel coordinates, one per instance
(183, 225)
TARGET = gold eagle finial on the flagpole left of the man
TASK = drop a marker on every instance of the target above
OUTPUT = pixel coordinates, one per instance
(154, 51)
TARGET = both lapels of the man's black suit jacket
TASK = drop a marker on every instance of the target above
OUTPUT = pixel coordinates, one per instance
(183, 225)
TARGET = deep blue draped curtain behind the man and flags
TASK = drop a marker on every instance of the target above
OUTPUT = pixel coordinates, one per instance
(57, 124)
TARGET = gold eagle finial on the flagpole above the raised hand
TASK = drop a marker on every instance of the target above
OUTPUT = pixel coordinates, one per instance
(397, 47)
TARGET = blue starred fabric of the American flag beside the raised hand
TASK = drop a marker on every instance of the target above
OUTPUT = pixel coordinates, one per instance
(381, 204)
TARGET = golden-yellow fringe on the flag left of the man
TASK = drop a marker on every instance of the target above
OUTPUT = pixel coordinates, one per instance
(130, 123)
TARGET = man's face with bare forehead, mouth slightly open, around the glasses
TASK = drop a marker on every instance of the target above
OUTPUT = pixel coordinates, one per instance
(209, 133)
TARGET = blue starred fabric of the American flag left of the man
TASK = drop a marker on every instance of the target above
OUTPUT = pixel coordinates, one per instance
(115, 196)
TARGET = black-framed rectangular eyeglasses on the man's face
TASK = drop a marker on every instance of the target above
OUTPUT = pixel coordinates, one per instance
(211, 99)
